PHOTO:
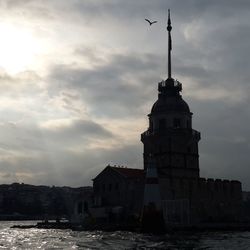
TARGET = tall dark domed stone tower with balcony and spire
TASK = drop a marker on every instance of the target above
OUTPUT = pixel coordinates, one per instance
(170, 138)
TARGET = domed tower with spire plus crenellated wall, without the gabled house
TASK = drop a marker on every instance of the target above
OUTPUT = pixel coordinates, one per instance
(172, 142)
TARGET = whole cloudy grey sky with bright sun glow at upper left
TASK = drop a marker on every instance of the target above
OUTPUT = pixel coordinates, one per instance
(78, 78)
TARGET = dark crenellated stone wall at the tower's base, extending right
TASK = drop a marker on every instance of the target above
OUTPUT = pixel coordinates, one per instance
(209, 200)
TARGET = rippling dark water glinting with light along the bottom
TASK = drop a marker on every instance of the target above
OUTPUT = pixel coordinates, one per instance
(66, 239)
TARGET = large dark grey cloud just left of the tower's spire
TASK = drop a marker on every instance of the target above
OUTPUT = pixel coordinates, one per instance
(117, 88)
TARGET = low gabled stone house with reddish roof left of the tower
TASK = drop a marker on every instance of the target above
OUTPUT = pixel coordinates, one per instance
(119, 188)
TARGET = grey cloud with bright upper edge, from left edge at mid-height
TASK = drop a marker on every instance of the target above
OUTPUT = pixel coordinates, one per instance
(55, 135)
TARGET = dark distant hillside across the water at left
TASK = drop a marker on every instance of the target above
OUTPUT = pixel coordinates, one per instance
(23, 201)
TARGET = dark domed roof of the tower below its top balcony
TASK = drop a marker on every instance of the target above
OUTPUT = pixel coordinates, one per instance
(173, 103)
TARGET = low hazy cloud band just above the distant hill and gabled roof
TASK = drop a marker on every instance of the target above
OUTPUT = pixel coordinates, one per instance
(67, 168)
